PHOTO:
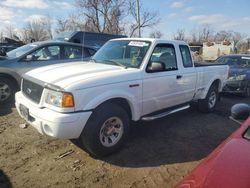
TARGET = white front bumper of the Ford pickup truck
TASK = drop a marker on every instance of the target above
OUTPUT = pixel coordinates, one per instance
(49, 122)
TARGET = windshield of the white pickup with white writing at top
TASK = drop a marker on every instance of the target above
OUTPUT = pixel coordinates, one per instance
(122, 53)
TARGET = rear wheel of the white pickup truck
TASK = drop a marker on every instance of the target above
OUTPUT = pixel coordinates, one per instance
(208, 104)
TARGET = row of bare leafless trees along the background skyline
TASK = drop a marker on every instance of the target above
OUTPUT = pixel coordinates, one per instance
(114, 17)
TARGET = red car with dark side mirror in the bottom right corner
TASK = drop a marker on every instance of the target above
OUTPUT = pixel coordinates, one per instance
(228, 165)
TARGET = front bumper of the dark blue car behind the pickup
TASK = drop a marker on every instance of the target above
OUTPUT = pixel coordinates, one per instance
(235, 86)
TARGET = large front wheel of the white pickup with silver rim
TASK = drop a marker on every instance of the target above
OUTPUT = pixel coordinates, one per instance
(106, 130)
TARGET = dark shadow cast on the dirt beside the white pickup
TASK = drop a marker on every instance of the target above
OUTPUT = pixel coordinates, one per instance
(182, 137)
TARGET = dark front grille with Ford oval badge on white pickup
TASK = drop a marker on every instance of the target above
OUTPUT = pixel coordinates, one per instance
(32, 90)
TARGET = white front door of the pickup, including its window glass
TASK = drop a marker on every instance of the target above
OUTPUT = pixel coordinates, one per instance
(160, 88)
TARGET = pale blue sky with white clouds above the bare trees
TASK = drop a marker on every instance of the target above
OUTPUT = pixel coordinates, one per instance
(181, 14)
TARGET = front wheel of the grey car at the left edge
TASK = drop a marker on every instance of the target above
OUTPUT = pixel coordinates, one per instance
(7, 90)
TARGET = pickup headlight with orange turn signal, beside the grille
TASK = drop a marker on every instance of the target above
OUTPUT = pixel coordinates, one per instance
(60, 99)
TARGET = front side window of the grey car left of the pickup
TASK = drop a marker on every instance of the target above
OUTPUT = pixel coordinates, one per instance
(46, 53)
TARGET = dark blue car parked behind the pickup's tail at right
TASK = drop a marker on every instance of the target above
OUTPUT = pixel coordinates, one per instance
(239, 73)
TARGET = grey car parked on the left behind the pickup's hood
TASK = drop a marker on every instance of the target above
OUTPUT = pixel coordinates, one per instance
(34, 55)
